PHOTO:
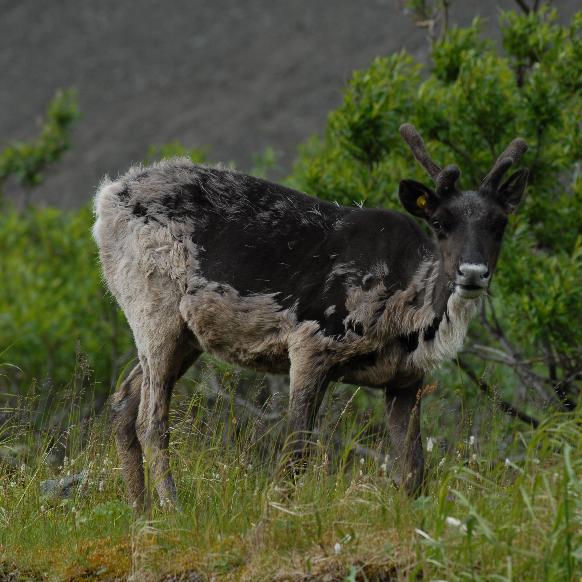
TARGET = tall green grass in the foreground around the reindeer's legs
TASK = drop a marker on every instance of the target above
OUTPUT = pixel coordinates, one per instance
(485, 515)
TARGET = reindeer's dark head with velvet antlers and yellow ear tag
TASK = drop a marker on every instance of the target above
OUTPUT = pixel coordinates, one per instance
(468, 225)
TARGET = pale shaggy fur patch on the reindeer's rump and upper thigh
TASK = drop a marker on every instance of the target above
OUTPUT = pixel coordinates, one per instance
(146, 266)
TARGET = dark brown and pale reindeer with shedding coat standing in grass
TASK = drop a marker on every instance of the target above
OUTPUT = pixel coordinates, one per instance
(210, 260)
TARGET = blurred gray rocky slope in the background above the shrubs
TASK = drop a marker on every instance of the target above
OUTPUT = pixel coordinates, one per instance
(232, 75)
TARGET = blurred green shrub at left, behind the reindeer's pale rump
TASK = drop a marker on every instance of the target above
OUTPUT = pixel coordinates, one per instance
(53, 306)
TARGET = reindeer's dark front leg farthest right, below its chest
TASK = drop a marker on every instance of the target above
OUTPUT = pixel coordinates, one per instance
(402, 398)
